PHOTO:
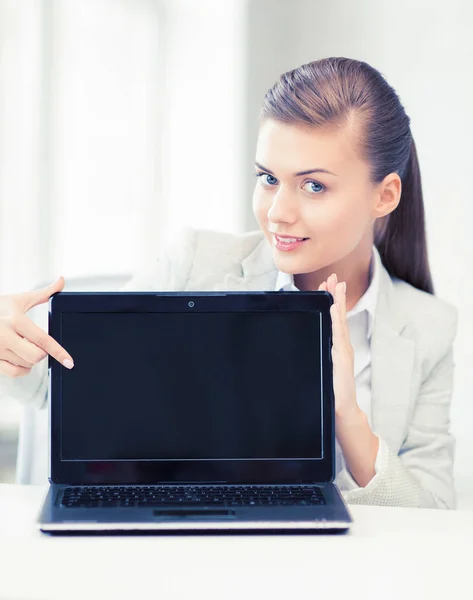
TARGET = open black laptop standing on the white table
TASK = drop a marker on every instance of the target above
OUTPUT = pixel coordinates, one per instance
(192, 411)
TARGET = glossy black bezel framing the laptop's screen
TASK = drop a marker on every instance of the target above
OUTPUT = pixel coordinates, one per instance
(152, 472)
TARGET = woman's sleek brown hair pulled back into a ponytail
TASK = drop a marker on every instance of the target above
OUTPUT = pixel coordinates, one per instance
(333, 91)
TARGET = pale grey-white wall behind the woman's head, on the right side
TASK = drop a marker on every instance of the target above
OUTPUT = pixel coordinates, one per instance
(425, 51)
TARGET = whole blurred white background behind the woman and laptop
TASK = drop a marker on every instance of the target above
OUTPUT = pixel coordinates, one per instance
(123, 120)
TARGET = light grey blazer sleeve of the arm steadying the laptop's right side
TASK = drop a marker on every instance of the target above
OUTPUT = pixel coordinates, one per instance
(421, 473)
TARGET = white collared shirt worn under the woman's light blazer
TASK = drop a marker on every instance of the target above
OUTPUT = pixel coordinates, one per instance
(360, 325)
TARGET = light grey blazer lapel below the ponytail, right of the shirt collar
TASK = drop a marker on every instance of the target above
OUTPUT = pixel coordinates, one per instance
(392, 364)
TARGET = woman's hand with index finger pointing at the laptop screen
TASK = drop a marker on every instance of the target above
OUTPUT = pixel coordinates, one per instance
(22, 342)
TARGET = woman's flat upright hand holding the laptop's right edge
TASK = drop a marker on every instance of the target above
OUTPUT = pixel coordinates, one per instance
(342, 351)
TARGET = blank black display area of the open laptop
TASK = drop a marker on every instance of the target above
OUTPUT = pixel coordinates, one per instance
(191, 386)
